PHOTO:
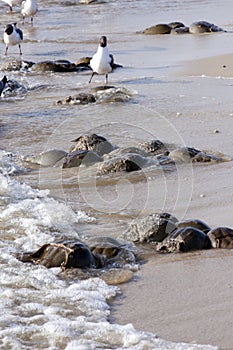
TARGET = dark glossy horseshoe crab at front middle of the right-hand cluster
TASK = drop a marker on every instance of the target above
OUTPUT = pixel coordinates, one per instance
(184, 240)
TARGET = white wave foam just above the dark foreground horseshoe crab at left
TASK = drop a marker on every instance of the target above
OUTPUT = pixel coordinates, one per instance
(31, 213)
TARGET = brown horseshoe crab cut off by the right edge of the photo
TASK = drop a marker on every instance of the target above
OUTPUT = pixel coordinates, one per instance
(221, 237)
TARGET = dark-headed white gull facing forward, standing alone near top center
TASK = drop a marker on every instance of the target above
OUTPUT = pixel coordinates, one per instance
(101, 62)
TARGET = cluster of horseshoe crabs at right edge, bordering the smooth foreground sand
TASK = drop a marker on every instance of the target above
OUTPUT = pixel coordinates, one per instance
(167, 234)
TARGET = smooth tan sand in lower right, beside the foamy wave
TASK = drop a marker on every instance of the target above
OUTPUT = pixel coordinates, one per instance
(182, 298)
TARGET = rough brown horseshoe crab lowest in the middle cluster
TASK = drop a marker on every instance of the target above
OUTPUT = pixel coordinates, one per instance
(128, 162)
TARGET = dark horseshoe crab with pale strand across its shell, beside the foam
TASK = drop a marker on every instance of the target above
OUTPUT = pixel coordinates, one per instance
(66, 255)
